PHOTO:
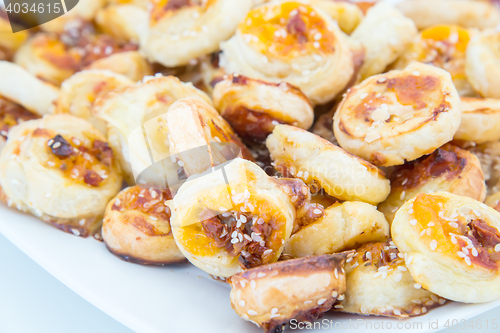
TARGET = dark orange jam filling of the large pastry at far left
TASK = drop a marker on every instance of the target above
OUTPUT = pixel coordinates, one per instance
(89, 165)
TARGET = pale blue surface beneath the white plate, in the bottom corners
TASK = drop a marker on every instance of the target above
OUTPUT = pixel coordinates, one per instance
(33, 301)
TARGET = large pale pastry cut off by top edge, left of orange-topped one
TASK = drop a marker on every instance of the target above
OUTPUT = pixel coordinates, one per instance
(182, 30)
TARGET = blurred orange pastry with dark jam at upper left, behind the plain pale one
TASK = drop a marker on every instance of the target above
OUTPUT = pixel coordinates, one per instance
(55, 57)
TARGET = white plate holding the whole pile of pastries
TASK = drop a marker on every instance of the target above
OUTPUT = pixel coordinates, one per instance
(169, 299)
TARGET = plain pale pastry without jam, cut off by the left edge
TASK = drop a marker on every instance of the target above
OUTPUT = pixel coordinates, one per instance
(19, 86)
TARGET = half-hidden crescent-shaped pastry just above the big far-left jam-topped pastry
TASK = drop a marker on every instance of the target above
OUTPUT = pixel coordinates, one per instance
(79, 92)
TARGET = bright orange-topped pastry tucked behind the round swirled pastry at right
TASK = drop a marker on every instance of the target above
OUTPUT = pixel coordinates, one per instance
(443, 46)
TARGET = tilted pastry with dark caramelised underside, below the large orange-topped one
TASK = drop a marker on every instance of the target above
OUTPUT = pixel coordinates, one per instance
(255, 107)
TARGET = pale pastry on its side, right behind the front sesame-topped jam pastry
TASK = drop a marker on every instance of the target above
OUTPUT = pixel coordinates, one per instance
(199, 138)
